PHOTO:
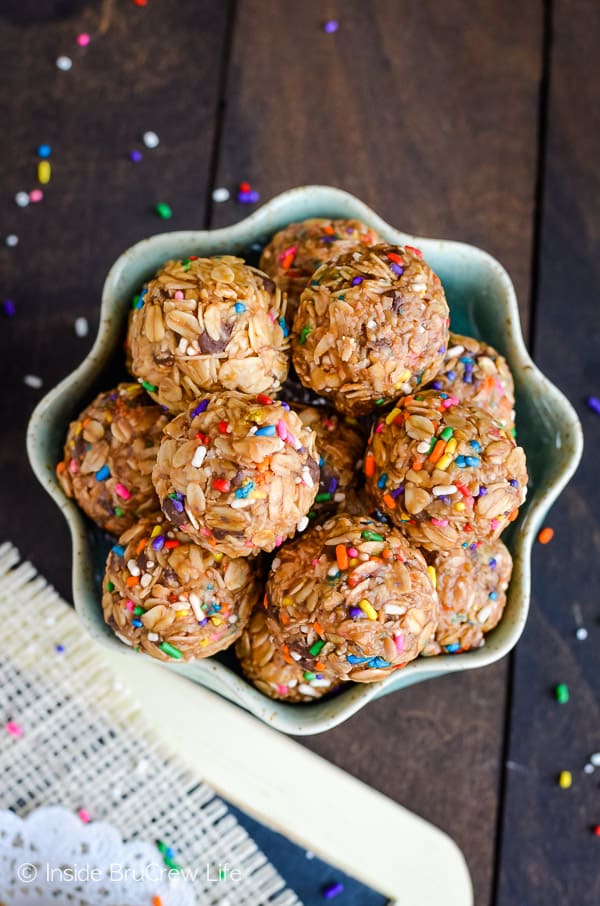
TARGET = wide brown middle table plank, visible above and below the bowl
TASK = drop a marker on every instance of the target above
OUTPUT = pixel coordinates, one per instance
(428, 112)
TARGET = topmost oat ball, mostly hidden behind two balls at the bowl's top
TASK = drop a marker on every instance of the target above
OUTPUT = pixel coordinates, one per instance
(294, 253)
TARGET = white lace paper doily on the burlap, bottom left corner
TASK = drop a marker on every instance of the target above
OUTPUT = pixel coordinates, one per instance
(54, 857)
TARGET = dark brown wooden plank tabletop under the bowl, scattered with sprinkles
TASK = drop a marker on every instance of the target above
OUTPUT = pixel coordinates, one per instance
(476, 121)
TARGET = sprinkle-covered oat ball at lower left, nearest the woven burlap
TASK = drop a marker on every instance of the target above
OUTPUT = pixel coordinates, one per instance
(171, 598)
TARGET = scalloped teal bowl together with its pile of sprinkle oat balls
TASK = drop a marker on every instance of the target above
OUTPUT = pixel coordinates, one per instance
(306, 459)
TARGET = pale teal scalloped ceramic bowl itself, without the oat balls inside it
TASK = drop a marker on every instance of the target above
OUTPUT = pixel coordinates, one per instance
(482, 303)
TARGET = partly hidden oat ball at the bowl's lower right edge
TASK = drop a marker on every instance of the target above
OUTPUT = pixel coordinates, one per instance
(471, 586)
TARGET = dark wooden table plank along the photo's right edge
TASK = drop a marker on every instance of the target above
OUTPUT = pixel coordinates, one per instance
(549, 853)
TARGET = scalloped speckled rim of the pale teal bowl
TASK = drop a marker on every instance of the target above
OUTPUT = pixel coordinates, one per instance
(320, 716)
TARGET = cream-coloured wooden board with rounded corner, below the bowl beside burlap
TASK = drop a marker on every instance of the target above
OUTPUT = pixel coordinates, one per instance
(293, 791)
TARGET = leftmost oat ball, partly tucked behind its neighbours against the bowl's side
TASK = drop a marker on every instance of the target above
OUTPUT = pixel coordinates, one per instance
(109, 455)
